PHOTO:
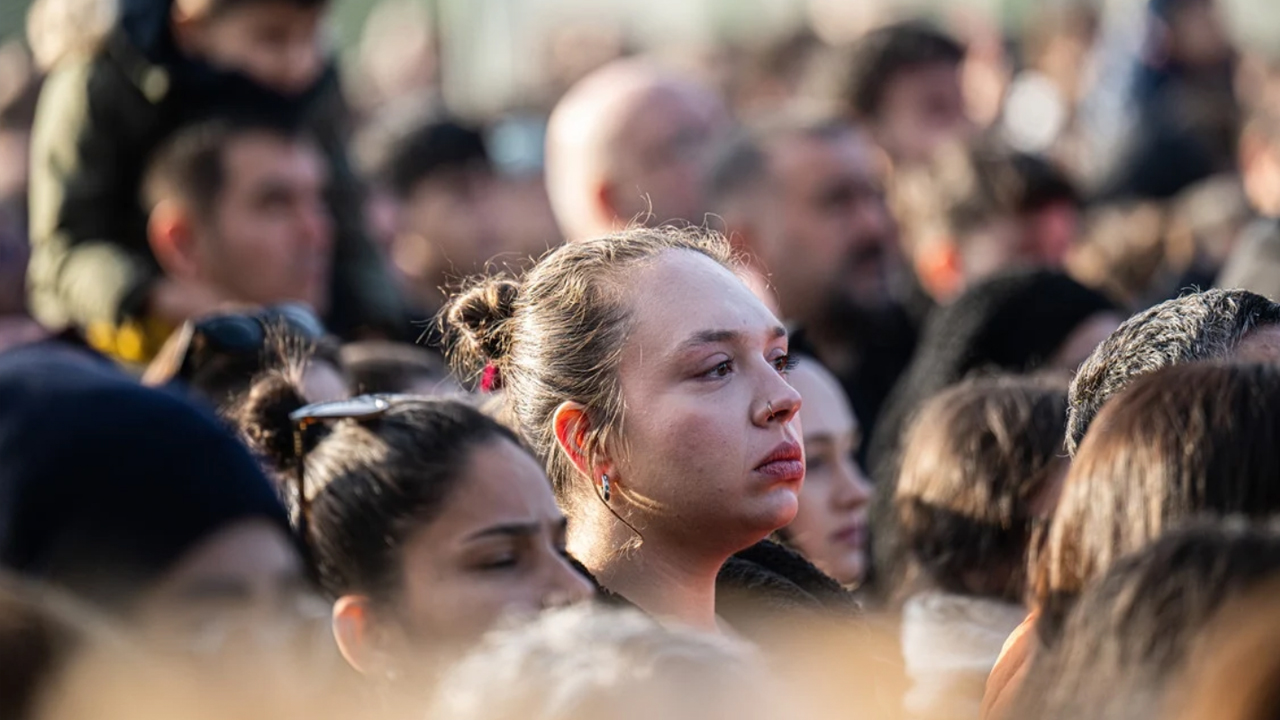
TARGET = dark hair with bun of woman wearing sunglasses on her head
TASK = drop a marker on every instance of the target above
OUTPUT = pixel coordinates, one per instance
(369, 482)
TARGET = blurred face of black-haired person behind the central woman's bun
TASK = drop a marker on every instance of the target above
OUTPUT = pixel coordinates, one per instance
(449, 229)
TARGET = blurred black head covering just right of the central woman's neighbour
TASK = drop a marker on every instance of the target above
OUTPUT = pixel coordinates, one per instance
(1017, 323)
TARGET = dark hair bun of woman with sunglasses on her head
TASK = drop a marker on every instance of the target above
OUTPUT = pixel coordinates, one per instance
(264, 421)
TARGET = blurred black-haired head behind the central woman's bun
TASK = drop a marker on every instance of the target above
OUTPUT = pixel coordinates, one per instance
(442, 180)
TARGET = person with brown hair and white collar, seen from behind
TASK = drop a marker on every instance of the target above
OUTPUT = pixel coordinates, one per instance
(981, 468)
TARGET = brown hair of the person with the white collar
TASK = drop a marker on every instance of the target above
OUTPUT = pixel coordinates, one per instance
(976, 463)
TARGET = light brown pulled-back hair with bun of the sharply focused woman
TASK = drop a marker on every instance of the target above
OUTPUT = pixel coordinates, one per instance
(557, 335)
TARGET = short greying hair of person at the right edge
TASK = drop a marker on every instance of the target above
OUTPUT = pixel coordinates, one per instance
(1203, 326)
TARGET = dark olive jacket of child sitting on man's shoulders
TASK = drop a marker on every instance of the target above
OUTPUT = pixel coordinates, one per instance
(98, 124)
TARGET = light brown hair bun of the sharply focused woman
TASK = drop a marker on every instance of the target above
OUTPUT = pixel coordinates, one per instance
(476, 325)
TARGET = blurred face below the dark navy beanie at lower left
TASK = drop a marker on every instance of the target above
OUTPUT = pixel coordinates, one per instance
(244, 586)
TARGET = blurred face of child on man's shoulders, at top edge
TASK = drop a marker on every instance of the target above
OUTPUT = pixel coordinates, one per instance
(280, 44)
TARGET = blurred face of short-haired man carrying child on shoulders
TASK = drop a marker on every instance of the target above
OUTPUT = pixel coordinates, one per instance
(271, 238)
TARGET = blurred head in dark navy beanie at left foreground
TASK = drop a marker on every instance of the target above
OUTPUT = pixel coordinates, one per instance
(157, 516)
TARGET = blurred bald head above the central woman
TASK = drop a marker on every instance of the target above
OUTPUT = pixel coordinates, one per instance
(629, 139)
